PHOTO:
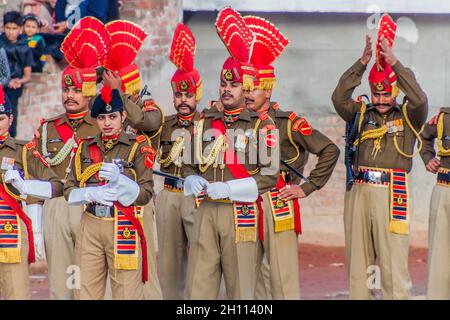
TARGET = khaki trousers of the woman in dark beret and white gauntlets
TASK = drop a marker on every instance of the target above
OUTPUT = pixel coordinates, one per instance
(94, 254)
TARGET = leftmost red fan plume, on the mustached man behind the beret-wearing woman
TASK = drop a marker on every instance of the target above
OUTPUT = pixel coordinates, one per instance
(87, 44)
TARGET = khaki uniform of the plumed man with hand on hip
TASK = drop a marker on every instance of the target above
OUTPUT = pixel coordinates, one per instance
(297, 140)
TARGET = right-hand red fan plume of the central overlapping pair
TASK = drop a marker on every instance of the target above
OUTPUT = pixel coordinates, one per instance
(269, 41)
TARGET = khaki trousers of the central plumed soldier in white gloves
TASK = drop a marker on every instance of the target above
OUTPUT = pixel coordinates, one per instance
(214, 252)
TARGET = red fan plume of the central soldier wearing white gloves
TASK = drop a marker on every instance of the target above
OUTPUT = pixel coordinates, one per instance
(237, 37)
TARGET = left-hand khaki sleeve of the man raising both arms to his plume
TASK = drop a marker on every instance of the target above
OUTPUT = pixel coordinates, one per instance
(342, 99)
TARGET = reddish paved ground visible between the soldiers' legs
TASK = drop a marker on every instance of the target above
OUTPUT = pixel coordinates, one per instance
(322, 273)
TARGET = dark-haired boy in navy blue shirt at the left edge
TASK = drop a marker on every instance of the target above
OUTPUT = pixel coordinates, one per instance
(20, 60)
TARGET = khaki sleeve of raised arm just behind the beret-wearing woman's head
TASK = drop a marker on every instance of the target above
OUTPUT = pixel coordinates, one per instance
(147, 121)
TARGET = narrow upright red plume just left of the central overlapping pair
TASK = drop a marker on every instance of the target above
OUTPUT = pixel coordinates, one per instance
(182, 52)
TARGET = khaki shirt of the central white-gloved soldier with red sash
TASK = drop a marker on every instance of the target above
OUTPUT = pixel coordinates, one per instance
(248, 147)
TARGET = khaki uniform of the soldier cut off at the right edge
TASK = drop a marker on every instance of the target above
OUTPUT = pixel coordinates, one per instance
(439, 220)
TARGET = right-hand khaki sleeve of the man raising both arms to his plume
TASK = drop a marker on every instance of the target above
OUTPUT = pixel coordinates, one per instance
(418, 102)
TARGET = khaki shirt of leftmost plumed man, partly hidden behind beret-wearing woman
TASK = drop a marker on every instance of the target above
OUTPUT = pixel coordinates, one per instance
(54, 142)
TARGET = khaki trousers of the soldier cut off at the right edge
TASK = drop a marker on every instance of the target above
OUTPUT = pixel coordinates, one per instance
(439, 244)
